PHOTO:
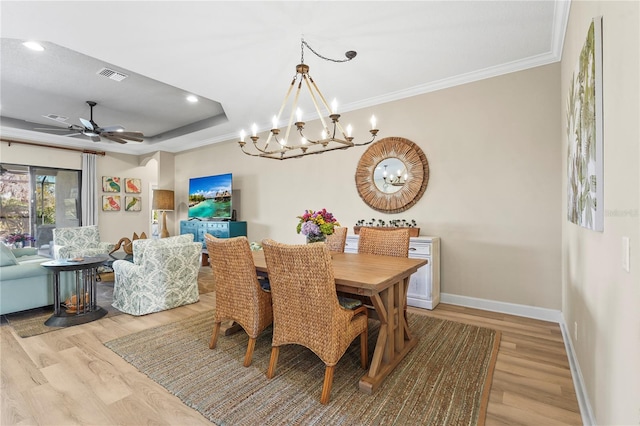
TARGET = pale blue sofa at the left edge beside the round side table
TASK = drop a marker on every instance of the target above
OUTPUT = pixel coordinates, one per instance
(24, 283)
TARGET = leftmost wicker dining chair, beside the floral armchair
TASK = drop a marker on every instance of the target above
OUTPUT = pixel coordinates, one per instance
(239, 297)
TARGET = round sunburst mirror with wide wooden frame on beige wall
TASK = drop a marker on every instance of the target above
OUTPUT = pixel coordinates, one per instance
(406, 178)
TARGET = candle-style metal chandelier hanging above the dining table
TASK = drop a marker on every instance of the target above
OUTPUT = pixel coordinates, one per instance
(281, 146)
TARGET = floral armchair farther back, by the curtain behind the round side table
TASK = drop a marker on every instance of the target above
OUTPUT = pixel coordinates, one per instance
(79, 241)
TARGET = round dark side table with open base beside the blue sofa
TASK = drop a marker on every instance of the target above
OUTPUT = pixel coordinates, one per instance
(85, 278)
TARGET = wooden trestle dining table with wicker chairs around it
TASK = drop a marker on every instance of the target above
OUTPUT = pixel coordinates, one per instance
(385, 280)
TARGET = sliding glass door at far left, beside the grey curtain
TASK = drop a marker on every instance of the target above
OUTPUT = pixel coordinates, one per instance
(35, 200)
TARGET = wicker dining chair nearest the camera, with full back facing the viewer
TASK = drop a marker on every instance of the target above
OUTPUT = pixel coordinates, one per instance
(306, 309)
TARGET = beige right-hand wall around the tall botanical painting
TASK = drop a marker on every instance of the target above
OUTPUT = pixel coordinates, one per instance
(598, 296)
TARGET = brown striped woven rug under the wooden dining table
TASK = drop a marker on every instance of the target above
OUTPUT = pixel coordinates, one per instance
(444, 380)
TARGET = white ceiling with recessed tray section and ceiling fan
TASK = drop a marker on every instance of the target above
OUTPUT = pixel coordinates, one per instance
(239, 57)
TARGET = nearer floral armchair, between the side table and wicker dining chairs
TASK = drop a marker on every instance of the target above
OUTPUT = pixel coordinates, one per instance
(163, 275)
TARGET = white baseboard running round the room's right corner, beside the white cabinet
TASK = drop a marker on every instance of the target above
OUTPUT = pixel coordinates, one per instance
(543, 314)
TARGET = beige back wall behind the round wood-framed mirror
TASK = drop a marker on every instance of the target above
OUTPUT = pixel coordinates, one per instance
(493, 195)
